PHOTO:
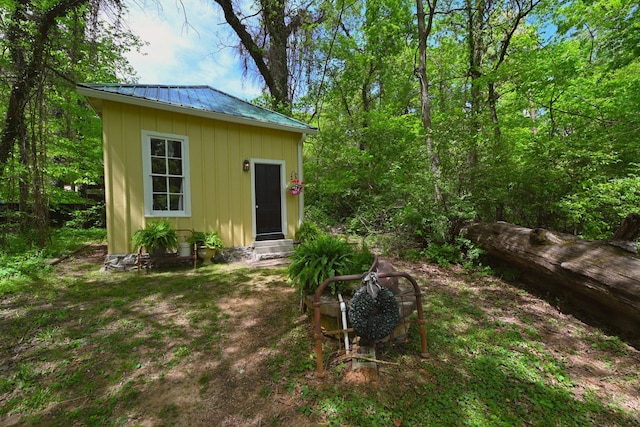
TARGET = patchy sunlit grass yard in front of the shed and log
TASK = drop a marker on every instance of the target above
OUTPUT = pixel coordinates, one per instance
(227, 345)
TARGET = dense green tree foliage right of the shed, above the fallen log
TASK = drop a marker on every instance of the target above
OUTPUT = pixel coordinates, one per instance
(558, 151)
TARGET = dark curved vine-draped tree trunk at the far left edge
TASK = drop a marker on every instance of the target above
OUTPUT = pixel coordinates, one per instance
(28, 39)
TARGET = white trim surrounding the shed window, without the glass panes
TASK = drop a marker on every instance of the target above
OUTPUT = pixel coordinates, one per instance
(146, 175)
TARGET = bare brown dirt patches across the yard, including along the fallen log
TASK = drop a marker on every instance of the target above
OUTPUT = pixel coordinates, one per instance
(237, 380)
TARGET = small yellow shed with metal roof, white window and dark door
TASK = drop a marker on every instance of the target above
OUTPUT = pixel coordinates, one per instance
(202, 158)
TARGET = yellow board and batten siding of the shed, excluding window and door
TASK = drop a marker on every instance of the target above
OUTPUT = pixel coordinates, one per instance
(221, 198)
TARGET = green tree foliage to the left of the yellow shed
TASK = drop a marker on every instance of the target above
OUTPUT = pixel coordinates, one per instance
(61, 152)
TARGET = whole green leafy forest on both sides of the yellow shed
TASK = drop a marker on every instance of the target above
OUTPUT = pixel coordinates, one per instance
(429, 113)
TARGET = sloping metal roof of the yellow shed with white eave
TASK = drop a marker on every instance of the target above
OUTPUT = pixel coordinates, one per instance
(195, 100)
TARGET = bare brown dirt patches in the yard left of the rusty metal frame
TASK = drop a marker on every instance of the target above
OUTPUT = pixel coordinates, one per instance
(236, 378)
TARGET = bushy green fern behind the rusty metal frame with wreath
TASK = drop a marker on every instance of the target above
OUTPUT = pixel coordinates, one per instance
(315, 261)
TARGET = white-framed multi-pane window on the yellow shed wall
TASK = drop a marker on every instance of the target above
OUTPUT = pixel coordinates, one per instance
(165, 160)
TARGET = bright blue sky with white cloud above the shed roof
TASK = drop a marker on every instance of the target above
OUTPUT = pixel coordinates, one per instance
(196, 53)
